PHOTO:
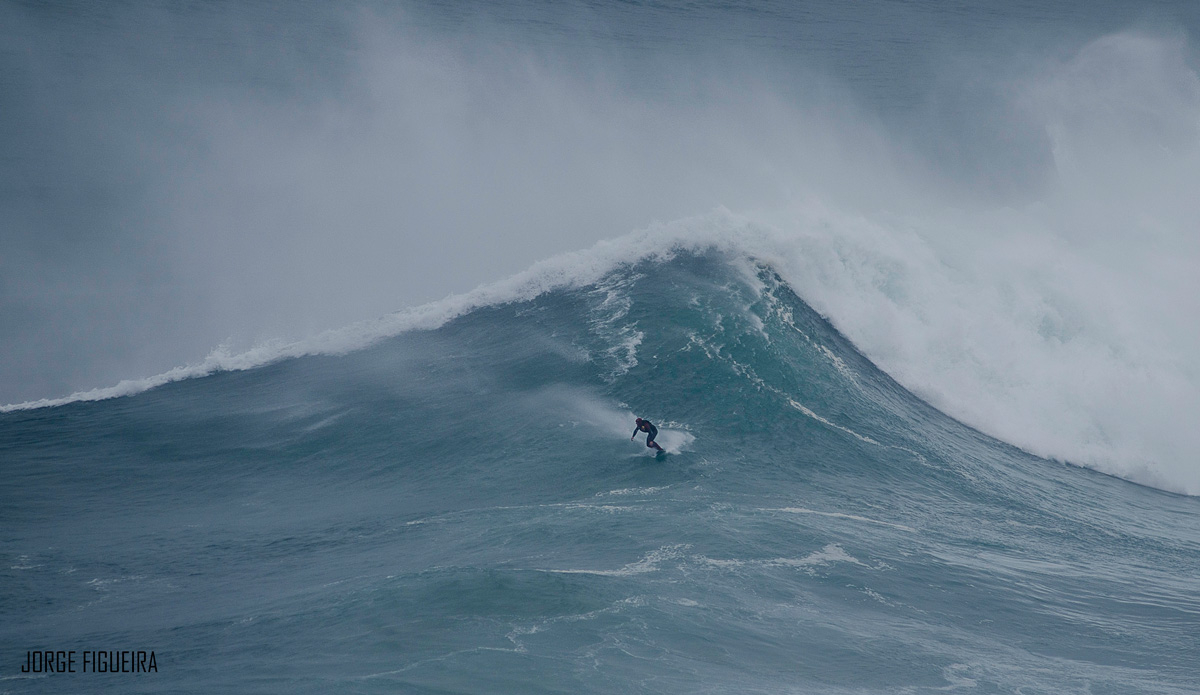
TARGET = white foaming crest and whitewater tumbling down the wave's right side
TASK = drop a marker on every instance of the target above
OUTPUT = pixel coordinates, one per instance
(995, 340)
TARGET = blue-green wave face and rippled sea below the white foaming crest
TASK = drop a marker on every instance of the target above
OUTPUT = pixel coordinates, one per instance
(460, 510)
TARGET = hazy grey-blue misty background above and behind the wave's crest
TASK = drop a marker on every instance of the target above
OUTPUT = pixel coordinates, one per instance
(176, 177)
